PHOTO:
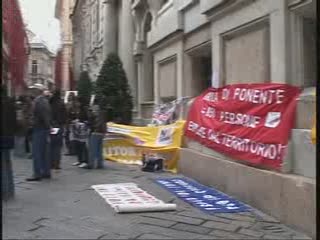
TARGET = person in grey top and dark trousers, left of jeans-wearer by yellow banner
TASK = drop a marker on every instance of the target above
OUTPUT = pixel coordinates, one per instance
(81, 133)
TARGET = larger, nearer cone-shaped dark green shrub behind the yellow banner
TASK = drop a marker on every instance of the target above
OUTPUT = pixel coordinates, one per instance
(113, 91)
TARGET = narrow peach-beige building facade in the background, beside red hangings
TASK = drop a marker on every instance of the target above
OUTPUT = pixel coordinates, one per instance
(63, 10)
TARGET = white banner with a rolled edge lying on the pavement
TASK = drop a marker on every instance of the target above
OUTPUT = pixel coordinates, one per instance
(128, 197)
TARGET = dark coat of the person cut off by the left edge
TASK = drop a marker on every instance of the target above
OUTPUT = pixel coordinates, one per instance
(8, 123)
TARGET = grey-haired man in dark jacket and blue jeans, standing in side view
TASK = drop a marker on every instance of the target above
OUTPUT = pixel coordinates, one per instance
(40, 135)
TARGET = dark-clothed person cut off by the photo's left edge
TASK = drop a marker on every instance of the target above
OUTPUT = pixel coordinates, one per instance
(8, 129)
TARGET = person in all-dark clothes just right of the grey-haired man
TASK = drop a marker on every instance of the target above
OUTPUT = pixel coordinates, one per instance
(58, 120)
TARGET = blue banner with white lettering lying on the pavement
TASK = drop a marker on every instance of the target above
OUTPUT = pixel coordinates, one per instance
(206, 199)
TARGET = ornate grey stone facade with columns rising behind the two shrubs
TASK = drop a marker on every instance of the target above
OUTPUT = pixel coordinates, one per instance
(101, 27)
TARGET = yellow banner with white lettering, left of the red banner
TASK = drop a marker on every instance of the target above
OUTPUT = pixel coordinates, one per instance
(126, 144)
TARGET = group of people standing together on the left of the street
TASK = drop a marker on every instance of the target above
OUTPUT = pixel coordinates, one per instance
(45, 121)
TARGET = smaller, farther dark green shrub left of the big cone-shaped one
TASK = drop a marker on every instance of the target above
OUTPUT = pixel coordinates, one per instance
(84, 88)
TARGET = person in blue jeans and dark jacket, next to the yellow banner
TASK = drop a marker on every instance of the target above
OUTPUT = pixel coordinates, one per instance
(97, 122)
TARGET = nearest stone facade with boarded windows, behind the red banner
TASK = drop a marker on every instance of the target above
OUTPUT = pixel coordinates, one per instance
(243, 41)
